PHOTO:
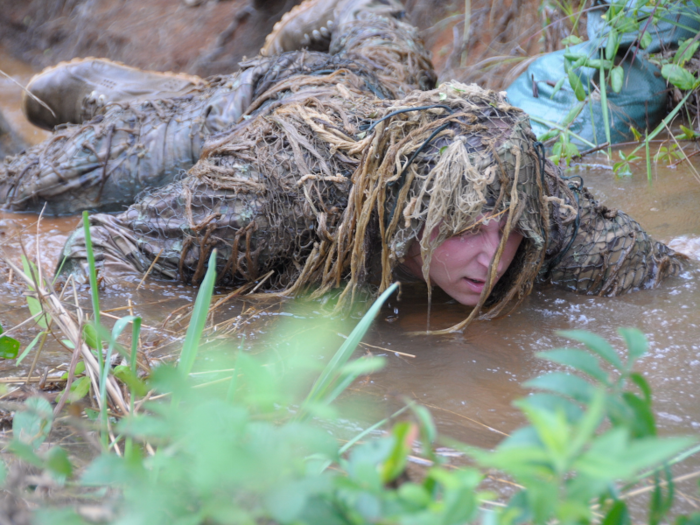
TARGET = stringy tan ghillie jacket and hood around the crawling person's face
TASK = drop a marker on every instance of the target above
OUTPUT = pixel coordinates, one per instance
(326, 187)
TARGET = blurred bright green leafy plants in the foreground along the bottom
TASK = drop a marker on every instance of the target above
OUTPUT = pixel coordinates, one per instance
(241, 451)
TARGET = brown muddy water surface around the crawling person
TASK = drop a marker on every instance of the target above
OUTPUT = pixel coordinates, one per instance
(470, 379)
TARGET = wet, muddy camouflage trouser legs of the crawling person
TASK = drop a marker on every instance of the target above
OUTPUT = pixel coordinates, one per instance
(131, 146)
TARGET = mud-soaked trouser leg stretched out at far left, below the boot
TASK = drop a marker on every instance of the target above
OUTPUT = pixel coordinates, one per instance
(103, 164)
